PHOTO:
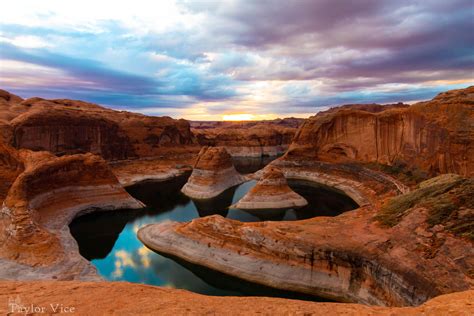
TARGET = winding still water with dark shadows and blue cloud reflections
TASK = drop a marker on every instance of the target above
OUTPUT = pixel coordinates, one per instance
(109, 239)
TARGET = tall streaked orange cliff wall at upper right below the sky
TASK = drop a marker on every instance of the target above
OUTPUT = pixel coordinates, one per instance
(436, 136)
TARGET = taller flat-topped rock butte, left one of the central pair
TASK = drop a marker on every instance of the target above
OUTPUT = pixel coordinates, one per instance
(213, 173)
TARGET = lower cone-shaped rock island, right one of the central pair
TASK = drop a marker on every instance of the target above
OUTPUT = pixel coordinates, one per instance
(271, 192)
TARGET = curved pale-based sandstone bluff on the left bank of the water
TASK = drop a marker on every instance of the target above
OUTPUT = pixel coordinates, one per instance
(45, 196)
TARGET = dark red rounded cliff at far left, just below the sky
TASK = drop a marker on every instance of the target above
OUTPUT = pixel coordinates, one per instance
(69, 127)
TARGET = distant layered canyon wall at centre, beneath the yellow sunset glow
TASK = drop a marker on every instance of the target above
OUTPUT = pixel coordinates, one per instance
(248, 139)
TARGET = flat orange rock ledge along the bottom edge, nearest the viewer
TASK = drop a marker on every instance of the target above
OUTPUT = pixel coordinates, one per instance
(107, 298)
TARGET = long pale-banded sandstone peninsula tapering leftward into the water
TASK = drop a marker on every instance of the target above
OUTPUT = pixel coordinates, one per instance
(351, 257)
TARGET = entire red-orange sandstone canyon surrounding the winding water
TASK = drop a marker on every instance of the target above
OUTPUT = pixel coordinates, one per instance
(409, 169)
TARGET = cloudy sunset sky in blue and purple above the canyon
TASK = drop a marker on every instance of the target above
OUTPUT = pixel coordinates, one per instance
(236, 59)
